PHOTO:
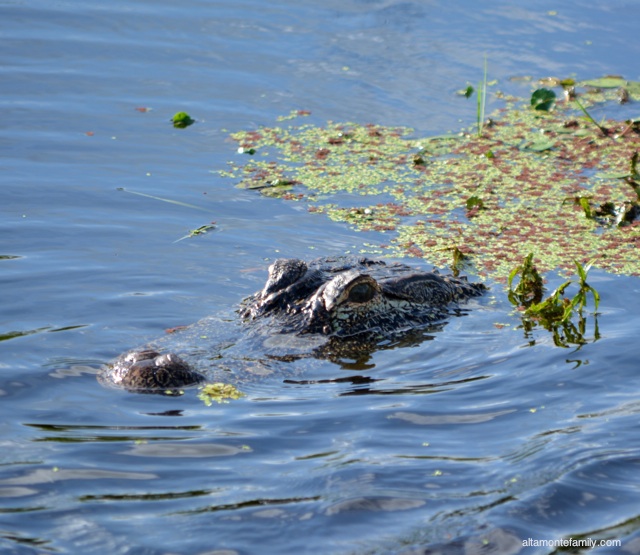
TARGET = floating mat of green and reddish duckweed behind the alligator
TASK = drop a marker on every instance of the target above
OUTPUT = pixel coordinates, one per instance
(542, 175)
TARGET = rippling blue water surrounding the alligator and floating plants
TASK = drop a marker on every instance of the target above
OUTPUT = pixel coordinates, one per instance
(468, 443)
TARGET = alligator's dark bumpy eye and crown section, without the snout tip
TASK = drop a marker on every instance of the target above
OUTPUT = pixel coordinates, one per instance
(348, 296)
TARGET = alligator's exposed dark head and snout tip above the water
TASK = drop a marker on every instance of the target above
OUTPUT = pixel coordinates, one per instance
(341, 304)
